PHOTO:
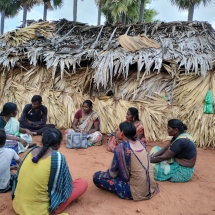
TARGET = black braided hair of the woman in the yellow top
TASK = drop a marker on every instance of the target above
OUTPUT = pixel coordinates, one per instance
(51, 137)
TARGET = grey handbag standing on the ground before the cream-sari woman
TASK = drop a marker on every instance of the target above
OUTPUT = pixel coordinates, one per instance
(76, 140)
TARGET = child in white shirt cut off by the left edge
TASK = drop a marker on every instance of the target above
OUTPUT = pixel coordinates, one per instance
(6, 155)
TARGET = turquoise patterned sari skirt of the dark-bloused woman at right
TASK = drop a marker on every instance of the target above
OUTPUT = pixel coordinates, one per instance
(173, 171)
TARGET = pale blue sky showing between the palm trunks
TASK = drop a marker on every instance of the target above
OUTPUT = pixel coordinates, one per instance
(87, 13)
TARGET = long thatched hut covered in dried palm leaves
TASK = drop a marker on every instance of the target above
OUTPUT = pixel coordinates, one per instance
(67, 62)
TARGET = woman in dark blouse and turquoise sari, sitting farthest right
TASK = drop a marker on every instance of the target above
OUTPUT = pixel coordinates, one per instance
(175, 162)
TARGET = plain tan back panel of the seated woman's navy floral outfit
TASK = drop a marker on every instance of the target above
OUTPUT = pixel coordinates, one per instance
(139, 181)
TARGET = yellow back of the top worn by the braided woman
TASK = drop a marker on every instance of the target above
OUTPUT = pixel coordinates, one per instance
(32, 187)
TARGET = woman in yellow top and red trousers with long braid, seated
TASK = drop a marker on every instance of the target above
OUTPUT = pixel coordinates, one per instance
(44, 184)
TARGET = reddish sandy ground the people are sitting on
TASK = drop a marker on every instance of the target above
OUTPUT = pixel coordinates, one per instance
(196, 197)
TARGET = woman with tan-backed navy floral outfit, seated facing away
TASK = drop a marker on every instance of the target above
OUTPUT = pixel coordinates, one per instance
(130, 175)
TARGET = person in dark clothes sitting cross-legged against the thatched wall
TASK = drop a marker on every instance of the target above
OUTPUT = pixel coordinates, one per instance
(34, 116)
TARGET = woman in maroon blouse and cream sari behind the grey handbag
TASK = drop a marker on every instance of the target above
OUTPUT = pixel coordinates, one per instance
(87, 120)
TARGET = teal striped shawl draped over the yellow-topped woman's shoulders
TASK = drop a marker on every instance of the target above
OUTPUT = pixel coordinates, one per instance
(60, 180)
